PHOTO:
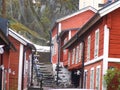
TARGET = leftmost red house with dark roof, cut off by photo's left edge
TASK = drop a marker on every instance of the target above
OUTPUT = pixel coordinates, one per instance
(5, 47)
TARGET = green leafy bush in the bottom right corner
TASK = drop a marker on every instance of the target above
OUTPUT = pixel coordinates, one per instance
(112, 79)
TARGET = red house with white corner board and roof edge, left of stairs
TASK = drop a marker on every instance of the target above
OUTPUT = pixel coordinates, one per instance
(20, 62)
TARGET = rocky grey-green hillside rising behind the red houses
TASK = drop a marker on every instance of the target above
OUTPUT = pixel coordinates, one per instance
(36, 17)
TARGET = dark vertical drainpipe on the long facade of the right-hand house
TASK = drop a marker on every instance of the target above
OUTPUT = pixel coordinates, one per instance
(82, 57)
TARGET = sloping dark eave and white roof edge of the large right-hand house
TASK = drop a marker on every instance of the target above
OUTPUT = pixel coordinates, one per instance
(102, 12)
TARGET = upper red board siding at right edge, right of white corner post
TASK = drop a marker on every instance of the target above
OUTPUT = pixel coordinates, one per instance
(114, 47)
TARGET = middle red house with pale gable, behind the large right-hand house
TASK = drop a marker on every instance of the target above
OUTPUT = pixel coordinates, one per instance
(63, 30)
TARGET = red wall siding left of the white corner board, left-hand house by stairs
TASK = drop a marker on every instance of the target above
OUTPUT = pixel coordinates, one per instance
(14, 64)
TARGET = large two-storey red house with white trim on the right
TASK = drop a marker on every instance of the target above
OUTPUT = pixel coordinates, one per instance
(95, 48)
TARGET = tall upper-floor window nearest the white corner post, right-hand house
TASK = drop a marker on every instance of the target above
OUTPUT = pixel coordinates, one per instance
(96, 50)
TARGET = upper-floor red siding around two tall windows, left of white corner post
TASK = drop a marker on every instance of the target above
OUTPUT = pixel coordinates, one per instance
(99, 26)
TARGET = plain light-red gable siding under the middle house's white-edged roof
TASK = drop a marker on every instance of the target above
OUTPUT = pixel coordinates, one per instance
(77, 21)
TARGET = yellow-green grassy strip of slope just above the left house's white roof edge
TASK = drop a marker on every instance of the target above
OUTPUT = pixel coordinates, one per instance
(26, 32)
